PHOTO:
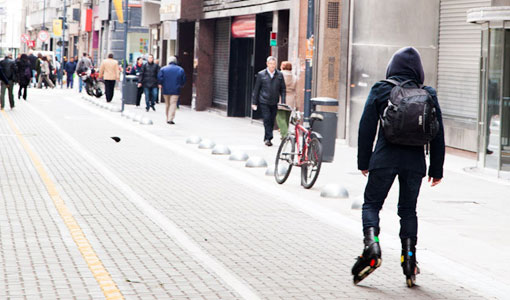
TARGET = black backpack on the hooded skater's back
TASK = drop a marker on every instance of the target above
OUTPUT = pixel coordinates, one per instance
(410, 118)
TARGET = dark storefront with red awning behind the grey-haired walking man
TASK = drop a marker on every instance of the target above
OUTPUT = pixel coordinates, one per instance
(232, 42)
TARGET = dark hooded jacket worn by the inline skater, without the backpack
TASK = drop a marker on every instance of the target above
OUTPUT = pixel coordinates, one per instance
(404, 65)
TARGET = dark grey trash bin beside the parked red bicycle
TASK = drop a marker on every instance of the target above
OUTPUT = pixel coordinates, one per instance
(327, 127)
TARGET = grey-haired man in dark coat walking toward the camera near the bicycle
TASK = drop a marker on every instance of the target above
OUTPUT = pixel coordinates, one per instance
(269, 87)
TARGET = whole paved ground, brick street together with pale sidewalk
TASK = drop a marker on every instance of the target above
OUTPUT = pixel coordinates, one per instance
(151, 217)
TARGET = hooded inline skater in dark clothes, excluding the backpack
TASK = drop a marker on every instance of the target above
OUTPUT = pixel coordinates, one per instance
(388, 161)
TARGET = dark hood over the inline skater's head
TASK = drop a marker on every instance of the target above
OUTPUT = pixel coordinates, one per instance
(406, 62)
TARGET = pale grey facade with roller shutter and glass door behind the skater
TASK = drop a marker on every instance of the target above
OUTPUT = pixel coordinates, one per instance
(463, 47)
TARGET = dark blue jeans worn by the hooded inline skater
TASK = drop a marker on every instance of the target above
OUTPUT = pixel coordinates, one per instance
(376, 191)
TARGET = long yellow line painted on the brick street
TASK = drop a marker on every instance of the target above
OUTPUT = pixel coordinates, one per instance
(103, 278)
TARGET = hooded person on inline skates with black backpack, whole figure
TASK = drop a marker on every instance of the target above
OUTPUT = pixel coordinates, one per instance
(399, 151)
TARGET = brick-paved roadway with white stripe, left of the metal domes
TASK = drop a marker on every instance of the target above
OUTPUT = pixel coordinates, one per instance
(167, 221)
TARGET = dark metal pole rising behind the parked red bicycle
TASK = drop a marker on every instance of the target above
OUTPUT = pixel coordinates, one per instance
(308, 74)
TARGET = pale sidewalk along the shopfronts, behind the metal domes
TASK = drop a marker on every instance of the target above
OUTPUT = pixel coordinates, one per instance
(464, 216)
